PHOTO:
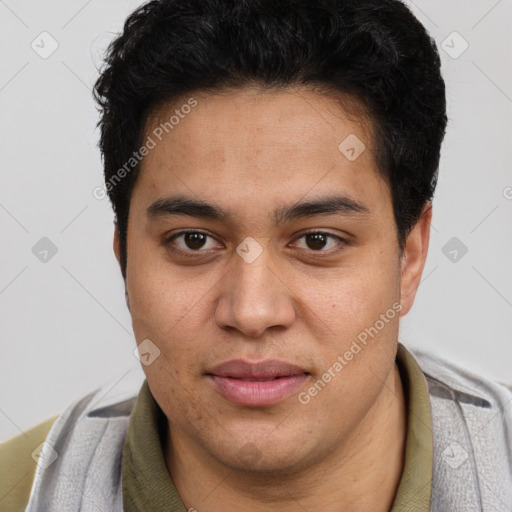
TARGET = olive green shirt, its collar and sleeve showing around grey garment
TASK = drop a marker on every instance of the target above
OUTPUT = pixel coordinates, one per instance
(146, 483)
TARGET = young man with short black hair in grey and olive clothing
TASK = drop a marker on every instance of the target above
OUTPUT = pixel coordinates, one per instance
(271, 166)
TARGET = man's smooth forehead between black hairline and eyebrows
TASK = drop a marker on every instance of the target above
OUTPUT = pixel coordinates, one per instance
(246, 145)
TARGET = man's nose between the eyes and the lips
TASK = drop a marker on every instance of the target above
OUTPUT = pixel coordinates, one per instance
(254, 297)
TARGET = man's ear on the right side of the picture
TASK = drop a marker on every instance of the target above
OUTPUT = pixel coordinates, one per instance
(414, 257)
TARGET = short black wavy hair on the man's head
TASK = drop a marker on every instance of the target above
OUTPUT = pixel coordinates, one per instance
(373, 51)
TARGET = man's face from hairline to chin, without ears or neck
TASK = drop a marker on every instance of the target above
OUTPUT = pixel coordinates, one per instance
(253, 286)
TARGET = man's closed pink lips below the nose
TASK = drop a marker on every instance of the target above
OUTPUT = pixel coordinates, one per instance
(257, 384)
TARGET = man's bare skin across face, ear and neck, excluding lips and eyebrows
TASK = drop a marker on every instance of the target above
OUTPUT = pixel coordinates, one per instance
(249, 151)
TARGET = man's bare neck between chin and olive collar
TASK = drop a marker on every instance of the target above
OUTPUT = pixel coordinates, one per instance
(370, 460)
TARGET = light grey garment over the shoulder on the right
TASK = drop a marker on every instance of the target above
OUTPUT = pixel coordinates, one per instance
(471, 427)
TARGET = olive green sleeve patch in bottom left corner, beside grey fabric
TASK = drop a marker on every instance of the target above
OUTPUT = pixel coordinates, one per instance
(18, 466)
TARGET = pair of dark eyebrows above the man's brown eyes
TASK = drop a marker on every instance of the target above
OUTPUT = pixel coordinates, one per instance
(333, 205)
